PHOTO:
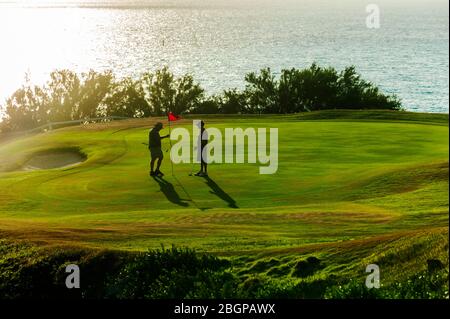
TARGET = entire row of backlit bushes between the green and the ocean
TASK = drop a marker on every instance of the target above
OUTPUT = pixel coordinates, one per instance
(68, 96)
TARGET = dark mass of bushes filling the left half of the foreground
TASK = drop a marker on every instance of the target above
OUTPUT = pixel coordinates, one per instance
(26, 272)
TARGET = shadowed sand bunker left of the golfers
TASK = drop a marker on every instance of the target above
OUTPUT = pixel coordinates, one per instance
(54, 159)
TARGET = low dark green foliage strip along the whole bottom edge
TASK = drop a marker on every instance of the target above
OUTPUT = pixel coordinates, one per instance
(27, 272)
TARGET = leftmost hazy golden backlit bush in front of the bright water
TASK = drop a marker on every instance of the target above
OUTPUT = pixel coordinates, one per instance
(66, 96)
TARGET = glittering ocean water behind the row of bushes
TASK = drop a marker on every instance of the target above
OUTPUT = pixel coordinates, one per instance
(220, 41)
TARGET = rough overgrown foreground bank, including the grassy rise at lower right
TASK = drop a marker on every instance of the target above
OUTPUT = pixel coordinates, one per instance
(28, 271)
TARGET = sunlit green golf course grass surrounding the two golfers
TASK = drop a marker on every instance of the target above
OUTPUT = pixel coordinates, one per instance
(349, 191)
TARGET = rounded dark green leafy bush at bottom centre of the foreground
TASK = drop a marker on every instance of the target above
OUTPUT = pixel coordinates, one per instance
(172, 273)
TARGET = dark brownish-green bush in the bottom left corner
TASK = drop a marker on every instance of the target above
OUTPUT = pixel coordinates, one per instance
(26, 272)
